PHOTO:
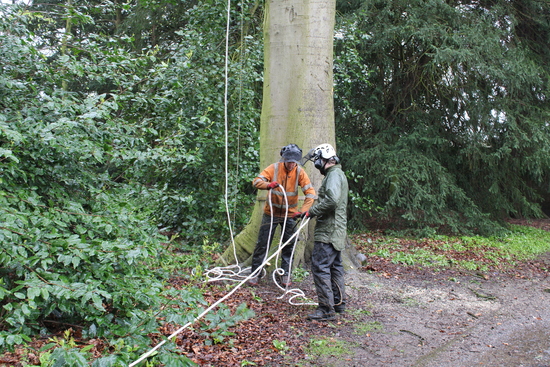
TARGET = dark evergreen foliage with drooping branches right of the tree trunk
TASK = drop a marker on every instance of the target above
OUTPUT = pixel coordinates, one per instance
(442, 110)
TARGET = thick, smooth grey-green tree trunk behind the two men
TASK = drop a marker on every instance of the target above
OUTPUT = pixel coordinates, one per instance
(297, 102)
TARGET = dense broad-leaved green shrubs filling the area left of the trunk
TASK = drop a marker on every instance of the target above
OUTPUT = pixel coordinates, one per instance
(99, 147)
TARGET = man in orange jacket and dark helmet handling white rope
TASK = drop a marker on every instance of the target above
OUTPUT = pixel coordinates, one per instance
(288, 174)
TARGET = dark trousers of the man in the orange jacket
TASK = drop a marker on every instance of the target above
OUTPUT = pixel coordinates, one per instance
(264, 242)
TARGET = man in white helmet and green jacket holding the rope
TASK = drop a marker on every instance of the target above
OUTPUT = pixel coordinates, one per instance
(330, 234)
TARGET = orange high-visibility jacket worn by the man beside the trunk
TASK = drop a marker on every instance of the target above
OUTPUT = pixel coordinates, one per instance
(290, 182)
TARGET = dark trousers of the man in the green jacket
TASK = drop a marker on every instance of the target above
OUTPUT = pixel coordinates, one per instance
(328, 276)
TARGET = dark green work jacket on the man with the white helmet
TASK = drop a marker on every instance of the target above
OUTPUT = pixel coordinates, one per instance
(331, 209)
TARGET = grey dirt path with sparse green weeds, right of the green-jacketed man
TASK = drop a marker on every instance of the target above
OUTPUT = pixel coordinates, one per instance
(442, 320)
